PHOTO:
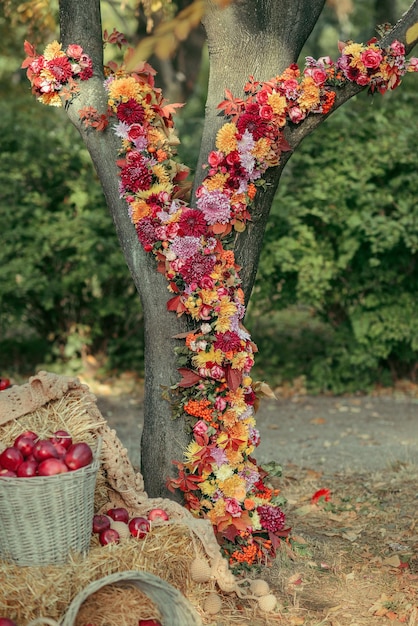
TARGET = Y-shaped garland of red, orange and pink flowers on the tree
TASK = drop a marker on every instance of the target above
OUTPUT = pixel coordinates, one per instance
(218, 475)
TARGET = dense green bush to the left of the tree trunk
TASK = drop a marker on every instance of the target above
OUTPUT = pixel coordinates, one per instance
(64, 283)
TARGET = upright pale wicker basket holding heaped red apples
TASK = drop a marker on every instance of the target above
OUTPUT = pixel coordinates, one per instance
(44, 518)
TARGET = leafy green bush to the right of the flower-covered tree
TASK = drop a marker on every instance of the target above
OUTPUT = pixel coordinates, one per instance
(343, 241)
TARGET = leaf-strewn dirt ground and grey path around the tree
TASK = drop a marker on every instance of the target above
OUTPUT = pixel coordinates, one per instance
(352, 560)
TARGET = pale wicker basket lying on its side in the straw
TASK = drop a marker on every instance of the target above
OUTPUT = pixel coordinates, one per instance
(175, 609)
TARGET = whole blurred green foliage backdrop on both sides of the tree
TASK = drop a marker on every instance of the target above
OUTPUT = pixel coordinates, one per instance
(335, 298)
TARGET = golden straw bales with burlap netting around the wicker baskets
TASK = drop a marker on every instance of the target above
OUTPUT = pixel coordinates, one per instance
(29, 593)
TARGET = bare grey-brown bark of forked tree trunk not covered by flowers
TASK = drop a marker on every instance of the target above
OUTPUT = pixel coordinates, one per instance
(249, 37)
